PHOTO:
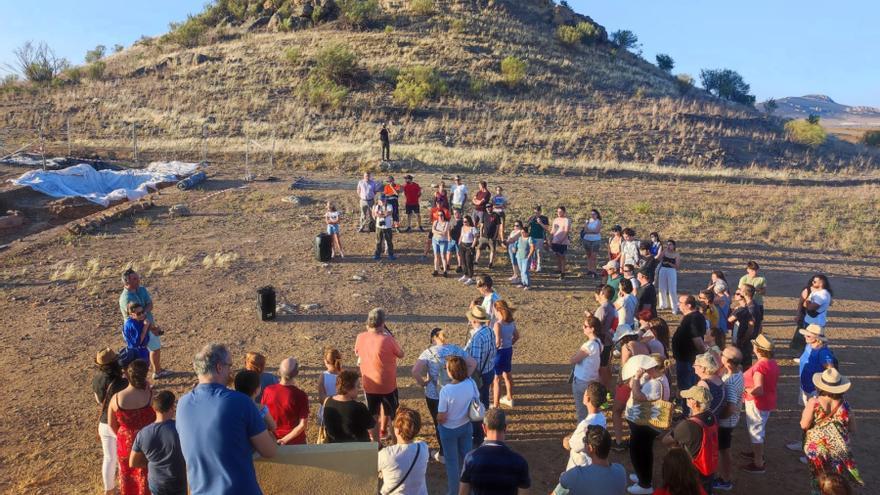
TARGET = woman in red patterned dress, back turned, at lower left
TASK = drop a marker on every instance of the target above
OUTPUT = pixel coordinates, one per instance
(129, 411)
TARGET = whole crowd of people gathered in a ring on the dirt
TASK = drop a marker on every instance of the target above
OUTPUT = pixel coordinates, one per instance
(682, 391)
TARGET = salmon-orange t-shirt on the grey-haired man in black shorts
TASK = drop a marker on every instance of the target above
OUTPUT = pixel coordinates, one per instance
(378, 353)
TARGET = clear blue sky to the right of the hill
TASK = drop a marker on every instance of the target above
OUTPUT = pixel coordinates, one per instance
(781, 47)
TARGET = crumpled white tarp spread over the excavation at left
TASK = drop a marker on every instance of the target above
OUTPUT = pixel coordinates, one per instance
(105, 186)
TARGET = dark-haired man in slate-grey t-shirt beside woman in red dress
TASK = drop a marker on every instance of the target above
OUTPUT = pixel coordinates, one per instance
(157, 448)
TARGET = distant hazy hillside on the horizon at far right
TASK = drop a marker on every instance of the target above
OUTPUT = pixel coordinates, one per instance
(831, 113)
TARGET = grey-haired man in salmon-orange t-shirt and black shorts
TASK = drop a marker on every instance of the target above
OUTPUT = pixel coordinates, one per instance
(378, 352)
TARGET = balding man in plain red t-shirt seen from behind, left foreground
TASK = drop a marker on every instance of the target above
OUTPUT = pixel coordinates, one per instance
(288, 405)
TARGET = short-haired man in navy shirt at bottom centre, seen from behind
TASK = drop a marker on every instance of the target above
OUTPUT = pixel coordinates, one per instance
(493, 467)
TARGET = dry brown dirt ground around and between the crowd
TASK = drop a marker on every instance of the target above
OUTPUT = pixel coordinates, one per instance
(51, 329)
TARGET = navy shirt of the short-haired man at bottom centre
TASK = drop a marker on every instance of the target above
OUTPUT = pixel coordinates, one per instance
(494, 469)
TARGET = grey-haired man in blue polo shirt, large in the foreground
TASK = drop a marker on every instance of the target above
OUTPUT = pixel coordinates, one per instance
(220, 429)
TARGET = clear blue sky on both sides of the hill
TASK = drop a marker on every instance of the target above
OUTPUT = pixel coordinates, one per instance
(781, 47)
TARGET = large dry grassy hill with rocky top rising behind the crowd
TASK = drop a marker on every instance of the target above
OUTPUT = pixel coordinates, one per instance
(246, 74)
